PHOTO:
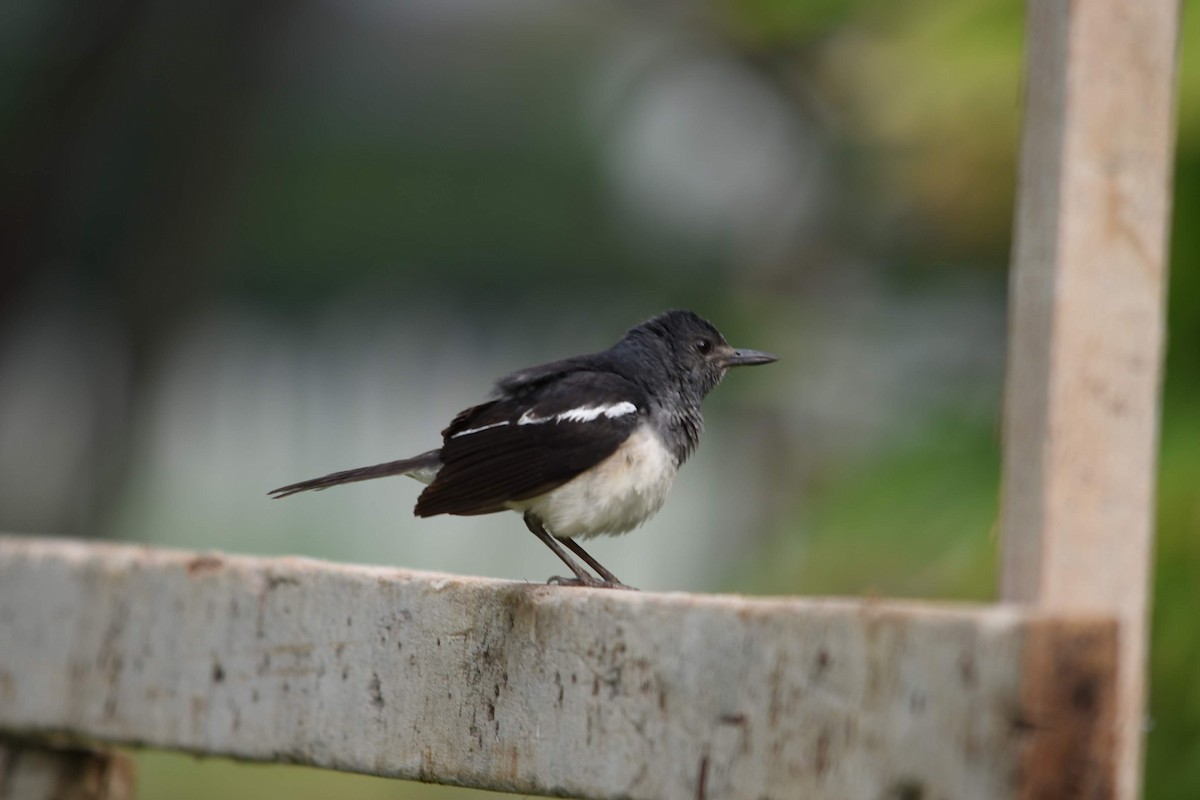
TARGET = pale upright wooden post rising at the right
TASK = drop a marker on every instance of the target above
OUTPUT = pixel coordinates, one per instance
(1087, 323)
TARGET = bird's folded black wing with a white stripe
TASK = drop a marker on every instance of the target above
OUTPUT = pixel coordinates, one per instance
(519, 448)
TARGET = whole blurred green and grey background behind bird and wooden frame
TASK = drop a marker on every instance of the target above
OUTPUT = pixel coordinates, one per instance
(248, 244)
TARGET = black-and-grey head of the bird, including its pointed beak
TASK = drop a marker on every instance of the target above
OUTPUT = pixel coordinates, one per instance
(693, 350)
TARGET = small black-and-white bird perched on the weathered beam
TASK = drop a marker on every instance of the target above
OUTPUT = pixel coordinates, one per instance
(581, 448)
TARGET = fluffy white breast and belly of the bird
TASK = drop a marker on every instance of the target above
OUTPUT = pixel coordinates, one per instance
(614, 497)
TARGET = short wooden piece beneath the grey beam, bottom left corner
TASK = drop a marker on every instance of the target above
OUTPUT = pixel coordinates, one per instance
(35, 773)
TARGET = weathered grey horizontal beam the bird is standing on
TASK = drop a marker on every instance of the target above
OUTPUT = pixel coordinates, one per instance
(537, 689)
